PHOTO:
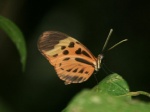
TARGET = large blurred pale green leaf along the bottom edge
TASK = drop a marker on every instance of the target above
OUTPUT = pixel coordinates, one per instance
(91, 101)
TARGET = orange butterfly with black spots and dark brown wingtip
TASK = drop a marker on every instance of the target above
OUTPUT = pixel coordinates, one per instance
(73, 62)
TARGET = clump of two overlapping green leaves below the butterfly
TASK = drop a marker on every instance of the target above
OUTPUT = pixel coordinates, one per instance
(110, 95)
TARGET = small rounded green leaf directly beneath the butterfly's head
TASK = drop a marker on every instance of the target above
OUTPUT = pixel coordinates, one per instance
(113, 84)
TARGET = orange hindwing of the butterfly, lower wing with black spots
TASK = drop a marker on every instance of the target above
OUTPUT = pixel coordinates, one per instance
(73, 69)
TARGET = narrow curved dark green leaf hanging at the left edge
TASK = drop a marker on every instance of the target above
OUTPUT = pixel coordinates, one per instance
(16, 36)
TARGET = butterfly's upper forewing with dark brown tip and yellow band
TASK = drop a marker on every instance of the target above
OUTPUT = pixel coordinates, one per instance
(53, 45)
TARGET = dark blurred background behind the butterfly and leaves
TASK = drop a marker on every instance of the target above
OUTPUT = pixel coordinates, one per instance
(39, 89)
